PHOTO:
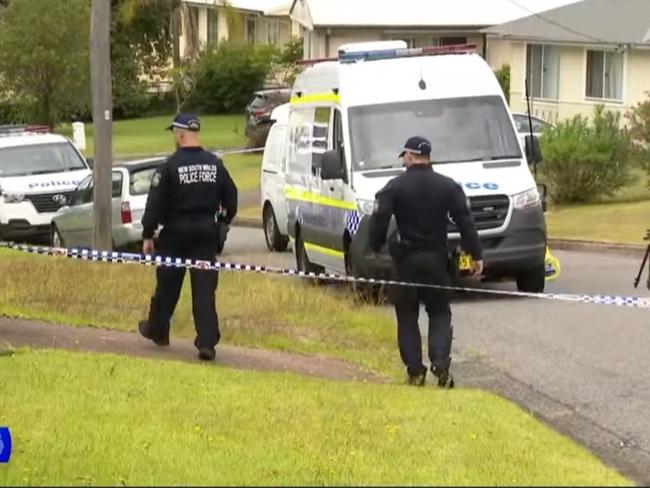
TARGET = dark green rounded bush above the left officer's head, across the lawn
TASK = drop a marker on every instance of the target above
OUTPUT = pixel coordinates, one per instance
(228, 75)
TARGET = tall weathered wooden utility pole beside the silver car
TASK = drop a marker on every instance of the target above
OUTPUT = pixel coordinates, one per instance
(102, 100)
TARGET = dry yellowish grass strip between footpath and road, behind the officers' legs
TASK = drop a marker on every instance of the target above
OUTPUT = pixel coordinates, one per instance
(289, 315)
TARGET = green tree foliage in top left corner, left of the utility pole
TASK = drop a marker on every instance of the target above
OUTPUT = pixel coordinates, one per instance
(44, 56)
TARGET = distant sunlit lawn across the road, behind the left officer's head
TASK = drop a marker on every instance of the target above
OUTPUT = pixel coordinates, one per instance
(143, 137)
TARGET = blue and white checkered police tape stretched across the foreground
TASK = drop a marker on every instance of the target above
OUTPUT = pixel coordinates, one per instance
(162, 261)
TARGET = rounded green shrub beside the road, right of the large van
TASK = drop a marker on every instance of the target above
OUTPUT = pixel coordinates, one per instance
(583, 161)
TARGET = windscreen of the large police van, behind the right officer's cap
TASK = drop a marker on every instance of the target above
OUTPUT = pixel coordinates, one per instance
(460, 130)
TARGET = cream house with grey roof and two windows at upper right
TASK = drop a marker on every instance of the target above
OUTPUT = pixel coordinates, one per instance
(576, 56)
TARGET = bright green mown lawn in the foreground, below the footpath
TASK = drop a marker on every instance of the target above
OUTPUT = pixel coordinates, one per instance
(107, 420)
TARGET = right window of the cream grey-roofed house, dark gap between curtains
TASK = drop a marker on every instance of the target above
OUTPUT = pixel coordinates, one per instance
(605, 75)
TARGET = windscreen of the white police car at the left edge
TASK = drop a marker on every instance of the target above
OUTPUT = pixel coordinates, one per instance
(39, 159)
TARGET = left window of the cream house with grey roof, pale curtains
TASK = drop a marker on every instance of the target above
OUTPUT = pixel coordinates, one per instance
(543, 71)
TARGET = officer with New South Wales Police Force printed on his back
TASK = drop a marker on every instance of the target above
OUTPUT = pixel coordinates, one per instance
(187, 193)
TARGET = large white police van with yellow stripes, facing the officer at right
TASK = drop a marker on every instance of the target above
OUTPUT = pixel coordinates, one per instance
(371, 99)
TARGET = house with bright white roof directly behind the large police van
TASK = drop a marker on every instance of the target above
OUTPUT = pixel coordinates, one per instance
(328, 24)
